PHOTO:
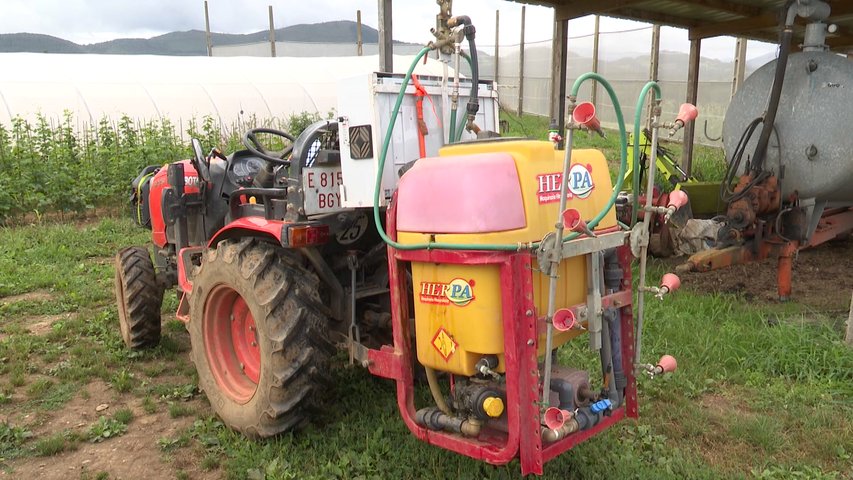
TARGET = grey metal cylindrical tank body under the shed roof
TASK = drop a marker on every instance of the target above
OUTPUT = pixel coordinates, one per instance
(814, 125)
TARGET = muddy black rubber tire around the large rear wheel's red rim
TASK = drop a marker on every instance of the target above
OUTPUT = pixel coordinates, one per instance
(286, 304)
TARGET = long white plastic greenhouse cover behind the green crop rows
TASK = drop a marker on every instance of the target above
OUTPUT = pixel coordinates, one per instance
(146, 87)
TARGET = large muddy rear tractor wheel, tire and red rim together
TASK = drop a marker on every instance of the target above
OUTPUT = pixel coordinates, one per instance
(258, 337)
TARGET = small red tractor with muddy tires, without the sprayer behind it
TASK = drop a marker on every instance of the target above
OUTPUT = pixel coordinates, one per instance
(224, 236)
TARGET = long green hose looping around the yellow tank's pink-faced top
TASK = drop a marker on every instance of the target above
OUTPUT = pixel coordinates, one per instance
(489, 247)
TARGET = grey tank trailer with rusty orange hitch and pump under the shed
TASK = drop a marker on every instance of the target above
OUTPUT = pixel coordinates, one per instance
(787, 141)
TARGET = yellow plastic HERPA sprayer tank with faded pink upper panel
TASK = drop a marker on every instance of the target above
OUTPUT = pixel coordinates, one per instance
(496, 192)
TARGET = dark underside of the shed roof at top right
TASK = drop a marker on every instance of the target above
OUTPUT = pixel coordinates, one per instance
(754, 19)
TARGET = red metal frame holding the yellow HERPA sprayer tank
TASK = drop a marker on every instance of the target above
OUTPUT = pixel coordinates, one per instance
(521, 344)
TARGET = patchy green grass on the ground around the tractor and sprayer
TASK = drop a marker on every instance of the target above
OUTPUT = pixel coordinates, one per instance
(751, 399)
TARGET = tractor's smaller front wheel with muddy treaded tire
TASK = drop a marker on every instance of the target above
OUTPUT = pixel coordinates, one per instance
(139, 298)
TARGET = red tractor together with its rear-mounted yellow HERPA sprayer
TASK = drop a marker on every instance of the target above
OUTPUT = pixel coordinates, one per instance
(450, 264)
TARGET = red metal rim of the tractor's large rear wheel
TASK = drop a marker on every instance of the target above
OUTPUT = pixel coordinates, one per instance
(231, 343)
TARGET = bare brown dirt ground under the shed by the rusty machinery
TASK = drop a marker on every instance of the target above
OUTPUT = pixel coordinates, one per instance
(822, 278)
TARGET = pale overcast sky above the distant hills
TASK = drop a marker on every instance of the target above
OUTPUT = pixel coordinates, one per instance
(90, 21)
